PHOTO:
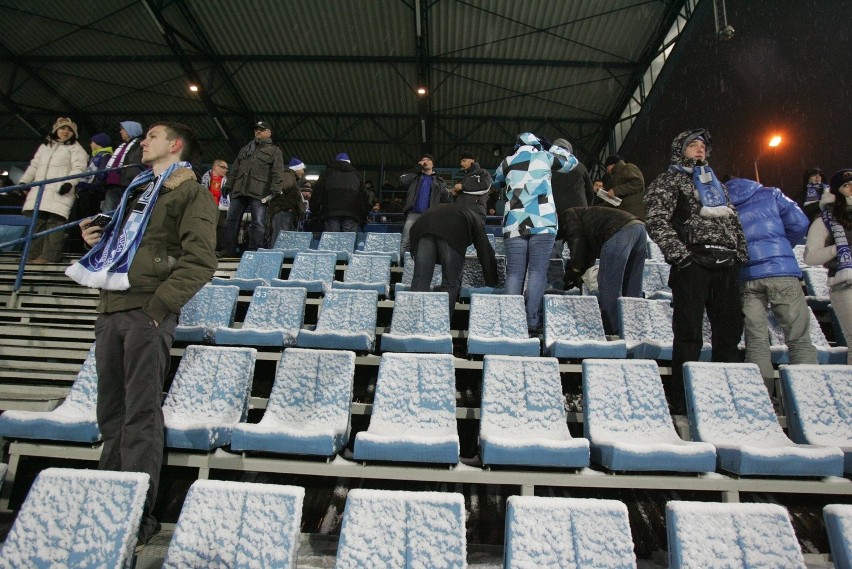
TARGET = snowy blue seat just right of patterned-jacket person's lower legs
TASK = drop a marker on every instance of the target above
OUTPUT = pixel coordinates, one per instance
(573, 329)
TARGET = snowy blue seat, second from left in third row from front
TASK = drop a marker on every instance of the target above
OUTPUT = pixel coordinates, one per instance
(274, 318)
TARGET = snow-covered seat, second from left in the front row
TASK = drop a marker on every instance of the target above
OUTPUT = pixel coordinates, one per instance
(237, 524)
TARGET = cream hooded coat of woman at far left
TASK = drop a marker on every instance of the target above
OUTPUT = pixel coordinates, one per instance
(54, 159)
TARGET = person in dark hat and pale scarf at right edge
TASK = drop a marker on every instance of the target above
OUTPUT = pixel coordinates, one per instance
(828, 245)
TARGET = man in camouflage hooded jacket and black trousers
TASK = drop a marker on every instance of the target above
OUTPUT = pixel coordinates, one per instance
(699, 232)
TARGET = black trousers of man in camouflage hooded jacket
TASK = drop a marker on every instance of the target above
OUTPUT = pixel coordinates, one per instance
(695, 289)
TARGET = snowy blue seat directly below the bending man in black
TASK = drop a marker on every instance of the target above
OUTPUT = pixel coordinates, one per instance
(420, 323)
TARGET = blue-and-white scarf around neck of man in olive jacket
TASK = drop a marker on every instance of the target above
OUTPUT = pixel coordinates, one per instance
(107, 264)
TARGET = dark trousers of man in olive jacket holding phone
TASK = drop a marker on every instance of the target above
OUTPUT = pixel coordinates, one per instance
(132, 358)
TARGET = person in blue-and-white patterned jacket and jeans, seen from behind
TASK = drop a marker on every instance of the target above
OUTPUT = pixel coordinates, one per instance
(529, 222)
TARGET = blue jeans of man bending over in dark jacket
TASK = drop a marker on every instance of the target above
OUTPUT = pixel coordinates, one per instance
(620, 272)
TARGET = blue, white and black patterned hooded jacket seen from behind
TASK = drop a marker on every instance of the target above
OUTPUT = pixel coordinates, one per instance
(526, 177)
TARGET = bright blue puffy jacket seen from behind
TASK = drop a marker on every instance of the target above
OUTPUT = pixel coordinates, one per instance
(772, 224)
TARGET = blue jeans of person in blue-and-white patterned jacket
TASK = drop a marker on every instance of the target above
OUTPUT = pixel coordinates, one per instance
(527, 259)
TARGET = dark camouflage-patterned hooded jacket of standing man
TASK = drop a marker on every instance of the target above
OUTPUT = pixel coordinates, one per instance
(672, 209)
